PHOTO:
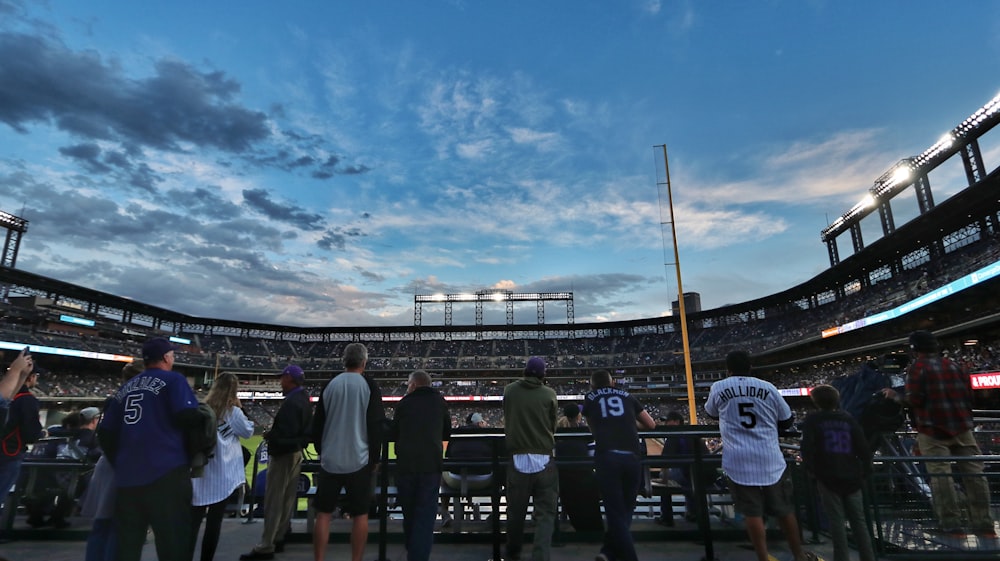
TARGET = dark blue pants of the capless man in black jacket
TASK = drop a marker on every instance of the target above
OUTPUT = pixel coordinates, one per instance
(418, 497)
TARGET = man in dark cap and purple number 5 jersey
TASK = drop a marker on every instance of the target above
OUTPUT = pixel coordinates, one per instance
(143, 436)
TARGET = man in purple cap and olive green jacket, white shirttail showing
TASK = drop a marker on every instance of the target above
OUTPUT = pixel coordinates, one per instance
(530, 410)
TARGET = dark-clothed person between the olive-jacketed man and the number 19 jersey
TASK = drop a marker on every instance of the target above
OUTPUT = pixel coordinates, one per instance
(577, 484)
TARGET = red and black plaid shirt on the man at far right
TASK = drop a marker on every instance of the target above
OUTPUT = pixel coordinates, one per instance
(940, 393)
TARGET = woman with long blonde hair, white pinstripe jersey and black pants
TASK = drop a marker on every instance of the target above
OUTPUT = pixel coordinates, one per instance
(224, 473)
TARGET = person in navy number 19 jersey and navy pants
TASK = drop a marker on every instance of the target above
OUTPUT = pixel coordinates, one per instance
(614, 416)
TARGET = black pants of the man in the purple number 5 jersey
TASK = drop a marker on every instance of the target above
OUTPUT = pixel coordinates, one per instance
(164, 505)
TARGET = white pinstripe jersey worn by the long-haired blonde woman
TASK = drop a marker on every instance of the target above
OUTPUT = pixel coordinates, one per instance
(224, 471)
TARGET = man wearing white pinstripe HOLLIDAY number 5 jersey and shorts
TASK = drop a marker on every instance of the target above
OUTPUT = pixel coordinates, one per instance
(750, 413)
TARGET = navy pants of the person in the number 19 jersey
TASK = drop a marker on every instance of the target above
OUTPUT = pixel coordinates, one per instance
(618, 479)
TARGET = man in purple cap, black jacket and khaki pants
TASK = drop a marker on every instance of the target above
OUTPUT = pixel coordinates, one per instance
(288, 435)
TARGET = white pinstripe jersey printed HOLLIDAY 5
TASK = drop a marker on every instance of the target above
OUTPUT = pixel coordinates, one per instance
(749, 410)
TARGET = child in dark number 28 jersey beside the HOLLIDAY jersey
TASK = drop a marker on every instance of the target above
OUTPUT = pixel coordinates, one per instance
(835, 452)
